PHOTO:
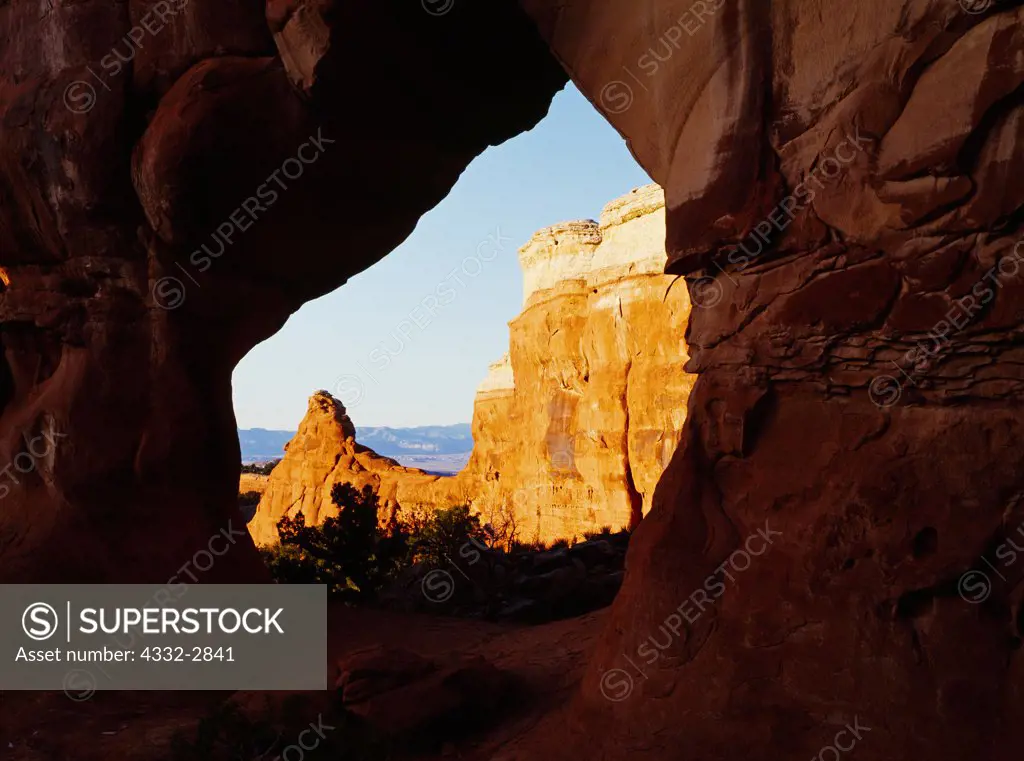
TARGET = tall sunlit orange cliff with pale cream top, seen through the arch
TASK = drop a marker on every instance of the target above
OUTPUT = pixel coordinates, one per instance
(575, 426)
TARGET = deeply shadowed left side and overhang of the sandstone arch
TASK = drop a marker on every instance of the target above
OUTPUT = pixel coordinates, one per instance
(119, 332)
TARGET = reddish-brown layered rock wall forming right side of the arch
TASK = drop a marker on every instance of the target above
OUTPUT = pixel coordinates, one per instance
(860, 376)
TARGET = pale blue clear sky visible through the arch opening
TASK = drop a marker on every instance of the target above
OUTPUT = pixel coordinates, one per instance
(375, 344)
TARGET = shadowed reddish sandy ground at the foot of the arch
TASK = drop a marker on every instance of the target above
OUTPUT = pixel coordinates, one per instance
(546, 661)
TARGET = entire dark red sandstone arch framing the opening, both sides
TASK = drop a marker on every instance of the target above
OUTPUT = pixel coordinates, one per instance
(904, 118)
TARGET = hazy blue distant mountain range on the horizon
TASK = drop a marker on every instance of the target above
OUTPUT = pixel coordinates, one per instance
(262, 444)
